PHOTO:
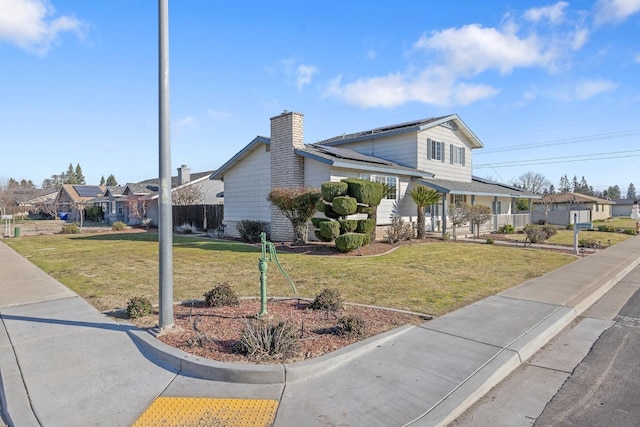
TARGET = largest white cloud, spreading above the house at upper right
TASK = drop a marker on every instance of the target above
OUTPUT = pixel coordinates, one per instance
(455, 58)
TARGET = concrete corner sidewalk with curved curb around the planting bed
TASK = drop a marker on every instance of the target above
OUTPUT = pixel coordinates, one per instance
(63, 363)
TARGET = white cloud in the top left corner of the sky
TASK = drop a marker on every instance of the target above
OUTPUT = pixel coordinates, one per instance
(30, 24)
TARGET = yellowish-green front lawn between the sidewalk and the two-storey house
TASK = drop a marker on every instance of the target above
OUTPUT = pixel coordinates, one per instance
(109, 269)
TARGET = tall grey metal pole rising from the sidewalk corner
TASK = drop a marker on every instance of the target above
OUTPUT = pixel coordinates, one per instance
(165, 226)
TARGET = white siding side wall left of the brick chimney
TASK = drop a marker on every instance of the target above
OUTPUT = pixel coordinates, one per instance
(246, 187)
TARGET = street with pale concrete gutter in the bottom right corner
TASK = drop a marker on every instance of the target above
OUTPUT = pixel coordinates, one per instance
(589, 375)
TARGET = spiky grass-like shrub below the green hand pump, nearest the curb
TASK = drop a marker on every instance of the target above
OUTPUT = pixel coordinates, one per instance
(262, 340)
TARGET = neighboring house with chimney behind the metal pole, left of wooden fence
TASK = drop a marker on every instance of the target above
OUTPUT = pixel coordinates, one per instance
(140, 200)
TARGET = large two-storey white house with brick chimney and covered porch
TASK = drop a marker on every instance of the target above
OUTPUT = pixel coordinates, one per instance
(434, 152)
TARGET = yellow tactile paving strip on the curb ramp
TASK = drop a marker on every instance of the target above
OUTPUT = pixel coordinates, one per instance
(201, 412)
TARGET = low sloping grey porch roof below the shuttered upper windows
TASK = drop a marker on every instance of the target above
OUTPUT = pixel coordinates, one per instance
(477, 186)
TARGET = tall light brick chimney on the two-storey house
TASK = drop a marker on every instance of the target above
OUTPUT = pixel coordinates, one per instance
(287, 168)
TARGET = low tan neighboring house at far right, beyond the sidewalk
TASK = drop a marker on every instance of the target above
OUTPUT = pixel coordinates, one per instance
(567, 208)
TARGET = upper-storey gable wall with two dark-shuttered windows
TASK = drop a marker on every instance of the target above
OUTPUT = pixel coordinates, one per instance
(443, 169)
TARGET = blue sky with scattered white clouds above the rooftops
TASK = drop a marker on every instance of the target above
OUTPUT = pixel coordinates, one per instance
(549, 87)
